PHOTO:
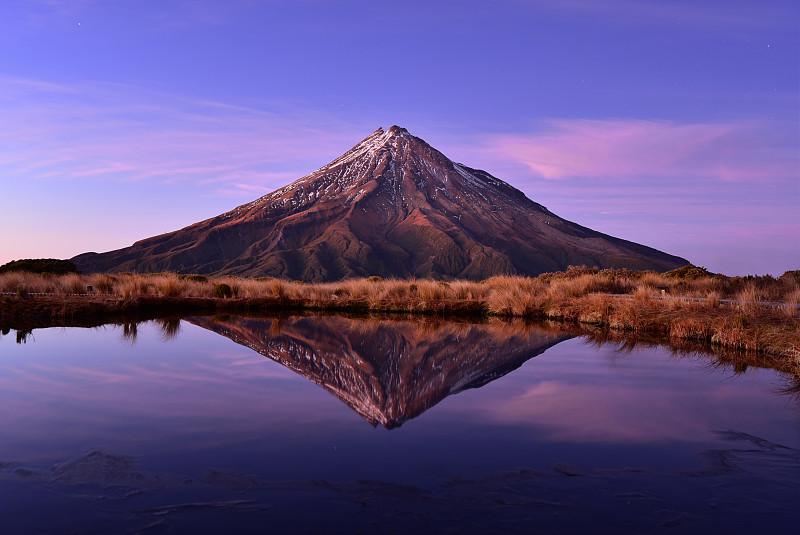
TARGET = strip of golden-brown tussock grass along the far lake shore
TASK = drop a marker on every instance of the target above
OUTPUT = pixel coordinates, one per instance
(684, 307)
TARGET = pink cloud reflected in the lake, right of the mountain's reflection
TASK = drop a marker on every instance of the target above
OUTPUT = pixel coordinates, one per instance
(638, 406)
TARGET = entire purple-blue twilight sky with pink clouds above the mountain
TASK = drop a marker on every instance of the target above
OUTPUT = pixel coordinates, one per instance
(672, 124)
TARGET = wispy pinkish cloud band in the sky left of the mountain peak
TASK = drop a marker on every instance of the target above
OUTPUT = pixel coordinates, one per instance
(122, 133)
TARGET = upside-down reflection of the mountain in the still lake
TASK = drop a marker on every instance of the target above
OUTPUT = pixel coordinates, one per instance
(388, 371)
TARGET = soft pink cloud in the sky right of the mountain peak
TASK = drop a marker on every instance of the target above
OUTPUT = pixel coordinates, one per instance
(617, 148)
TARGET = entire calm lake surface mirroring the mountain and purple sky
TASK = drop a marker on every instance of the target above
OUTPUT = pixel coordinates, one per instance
(338, 425)
